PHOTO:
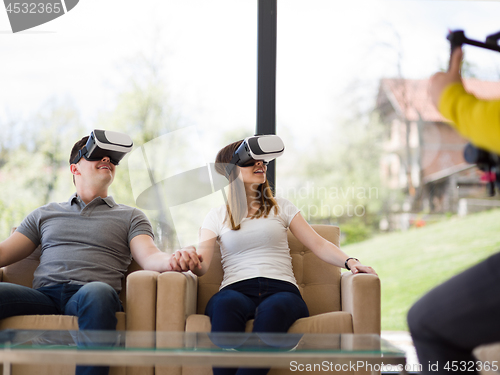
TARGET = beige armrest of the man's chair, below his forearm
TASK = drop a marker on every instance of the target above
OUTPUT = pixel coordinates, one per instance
(141, 301)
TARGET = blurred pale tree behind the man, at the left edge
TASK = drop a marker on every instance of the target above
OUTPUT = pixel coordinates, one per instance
(34, 155)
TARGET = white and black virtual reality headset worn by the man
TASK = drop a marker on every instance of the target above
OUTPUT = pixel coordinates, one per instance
(103, 143)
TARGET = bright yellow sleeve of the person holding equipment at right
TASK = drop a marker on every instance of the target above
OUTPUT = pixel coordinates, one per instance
(477, 120)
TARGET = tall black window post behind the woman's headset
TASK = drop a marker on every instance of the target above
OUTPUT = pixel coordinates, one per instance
(266, 74)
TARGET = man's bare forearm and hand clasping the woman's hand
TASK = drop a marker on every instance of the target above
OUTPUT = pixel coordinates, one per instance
(149, 257)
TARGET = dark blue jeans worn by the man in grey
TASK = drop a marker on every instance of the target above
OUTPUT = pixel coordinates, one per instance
(95, 304)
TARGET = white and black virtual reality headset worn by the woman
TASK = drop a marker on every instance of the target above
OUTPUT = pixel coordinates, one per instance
(258, 147)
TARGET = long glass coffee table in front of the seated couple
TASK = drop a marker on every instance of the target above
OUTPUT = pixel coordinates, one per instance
(297, 352)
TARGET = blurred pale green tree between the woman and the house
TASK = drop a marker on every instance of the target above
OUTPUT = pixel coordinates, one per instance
(339, 181)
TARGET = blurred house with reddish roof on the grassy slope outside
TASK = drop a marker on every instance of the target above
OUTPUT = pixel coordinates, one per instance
(423, 155)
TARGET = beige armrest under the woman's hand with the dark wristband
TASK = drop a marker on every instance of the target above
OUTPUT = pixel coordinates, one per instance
(360, 296)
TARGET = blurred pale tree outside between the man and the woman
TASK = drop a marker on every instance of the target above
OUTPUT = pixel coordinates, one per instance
(144, 111)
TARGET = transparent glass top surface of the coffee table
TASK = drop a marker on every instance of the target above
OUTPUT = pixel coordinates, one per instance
(200, 342)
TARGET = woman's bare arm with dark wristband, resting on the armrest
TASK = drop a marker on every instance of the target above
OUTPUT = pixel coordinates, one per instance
(325, 250)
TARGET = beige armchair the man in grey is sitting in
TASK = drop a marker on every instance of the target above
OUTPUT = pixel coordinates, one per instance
(138, 297)
